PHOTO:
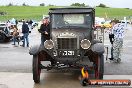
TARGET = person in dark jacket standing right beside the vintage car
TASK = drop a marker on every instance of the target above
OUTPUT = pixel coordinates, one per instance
(45, 30)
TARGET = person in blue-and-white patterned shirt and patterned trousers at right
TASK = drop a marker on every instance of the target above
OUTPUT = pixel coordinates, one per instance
(118, 31)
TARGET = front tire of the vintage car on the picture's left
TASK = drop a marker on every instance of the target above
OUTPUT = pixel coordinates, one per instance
(36, 69)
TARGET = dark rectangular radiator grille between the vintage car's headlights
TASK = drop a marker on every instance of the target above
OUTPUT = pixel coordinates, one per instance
(67, 43)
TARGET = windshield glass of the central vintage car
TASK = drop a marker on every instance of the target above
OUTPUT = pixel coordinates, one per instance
(71, 21)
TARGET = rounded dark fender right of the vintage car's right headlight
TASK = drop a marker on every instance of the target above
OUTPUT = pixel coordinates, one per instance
(98, 48)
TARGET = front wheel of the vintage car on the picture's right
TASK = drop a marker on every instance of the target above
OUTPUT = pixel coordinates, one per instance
(99, 68)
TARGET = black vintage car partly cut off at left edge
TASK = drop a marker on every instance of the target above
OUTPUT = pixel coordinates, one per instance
(4, 33)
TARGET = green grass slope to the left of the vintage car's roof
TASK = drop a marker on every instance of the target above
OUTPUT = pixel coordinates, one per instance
(23, 12)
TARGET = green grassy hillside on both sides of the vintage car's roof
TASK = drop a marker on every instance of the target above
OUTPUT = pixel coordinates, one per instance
(36, 12)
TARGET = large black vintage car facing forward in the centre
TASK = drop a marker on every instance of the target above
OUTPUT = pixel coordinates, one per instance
(72, 44)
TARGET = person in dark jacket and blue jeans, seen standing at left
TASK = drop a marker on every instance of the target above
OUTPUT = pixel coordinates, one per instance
(25, 31)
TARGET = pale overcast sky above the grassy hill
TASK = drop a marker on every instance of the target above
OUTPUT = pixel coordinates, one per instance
(109, 3)
